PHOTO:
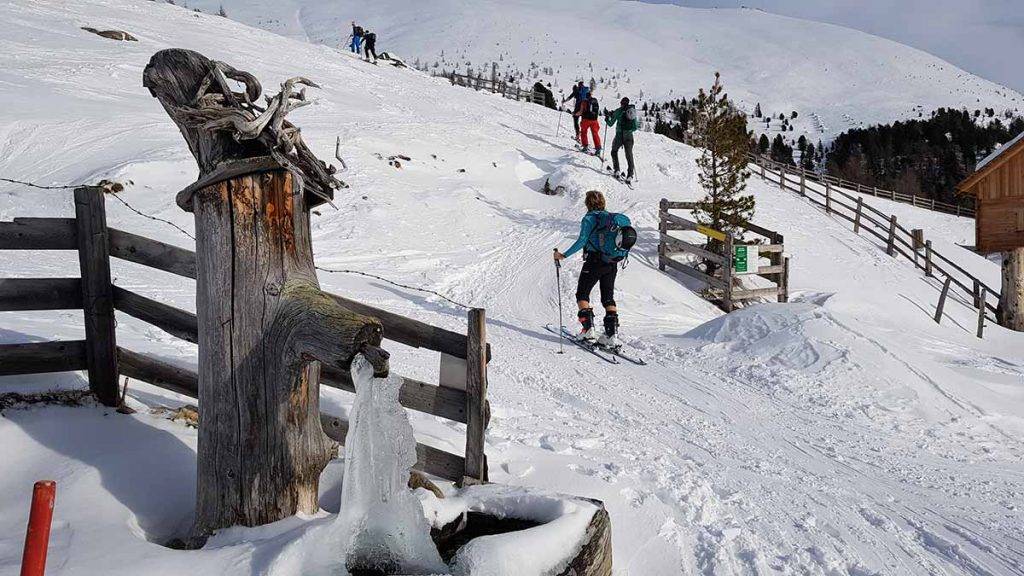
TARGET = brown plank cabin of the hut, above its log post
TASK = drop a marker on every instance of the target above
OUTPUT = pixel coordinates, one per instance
(999, 187)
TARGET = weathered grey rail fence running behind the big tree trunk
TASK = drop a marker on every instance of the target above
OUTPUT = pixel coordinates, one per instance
(461, 397)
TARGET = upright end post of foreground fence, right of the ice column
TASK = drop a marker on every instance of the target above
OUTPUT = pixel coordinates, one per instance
(477, 393)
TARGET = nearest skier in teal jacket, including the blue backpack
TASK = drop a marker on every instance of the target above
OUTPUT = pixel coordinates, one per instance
(606, 240)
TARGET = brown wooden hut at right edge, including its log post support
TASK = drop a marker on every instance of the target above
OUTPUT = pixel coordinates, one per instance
(998, 185)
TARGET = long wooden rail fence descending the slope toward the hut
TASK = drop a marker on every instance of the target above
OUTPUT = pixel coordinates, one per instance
(897, 240)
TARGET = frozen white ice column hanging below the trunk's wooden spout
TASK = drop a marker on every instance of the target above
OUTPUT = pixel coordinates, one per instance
(382, 523)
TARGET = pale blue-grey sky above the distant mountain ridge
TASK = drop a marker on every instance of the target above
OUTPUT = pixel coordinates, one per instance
(986, 37)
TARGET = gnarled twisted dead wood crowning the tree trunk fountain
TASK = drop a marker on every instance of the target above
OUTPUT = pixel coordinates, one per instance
(224, 127)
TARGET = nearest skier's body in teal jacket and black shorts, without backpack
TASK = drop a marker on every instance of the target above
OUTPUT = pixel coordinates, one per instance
(595, 272)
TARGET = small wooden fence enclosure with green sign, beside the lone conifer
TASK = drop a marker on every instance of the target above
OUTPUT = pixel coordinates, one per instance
(722, 284)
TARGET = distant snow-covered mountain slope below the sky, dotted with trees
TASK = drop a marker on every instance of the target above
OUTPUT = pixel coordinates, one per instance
(835, 78)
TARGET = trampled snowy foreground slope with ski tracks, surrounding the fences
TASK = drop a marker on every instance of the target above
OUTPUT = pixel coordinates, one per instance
(843, 434)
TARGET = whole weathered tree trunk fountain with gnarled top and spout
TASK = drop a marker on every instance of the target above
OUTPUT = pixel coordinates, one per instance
(265, 326)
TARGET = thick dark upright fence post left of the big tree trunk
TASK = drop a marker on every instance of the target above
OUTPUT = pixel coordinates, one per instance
(98, 295)
